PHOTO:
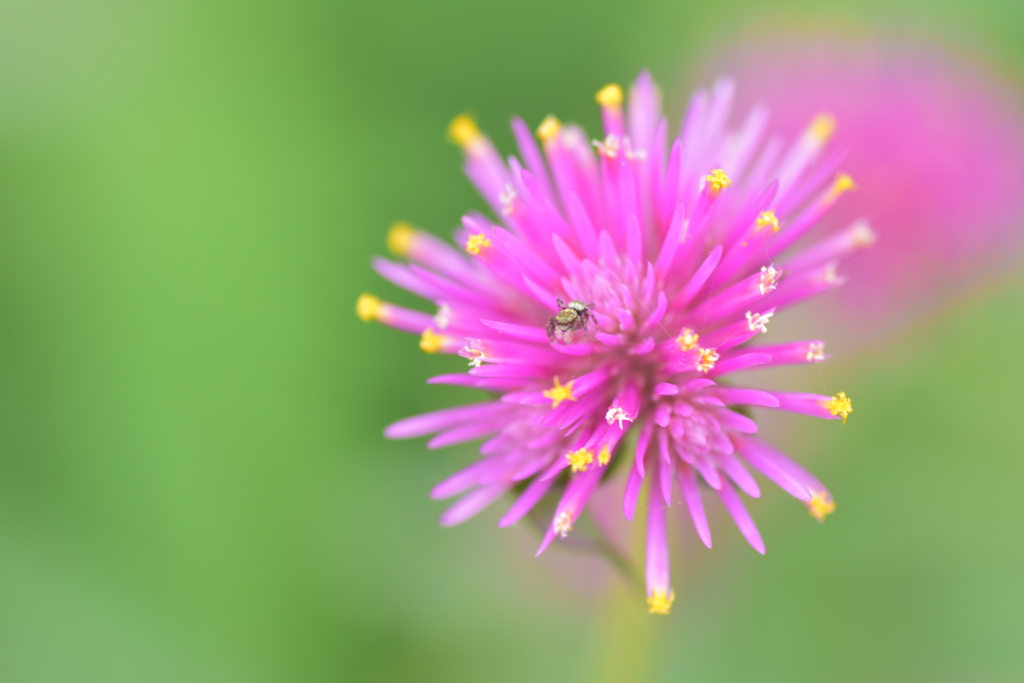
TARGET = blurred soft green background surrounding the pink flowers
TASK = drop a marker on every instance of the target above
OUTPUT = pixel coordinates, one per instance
(194, 486)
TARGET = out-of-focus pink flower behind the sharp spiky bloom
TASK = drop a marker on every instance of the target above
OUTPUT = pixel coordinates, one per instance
(936, 148)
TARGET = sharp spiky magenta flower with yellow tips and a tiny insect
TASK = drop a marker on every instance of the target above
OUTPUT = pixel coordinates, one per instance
(619, 293)
